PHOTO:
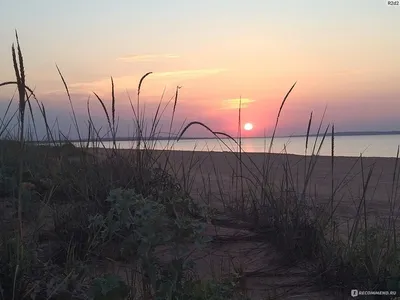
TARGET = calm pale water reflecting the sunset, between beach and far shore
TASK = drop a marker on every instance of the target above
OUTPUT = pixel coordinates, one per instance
(368, 145)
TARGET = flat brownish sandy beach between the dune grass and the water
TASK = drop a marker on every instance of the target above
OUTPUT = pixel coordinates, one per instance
(212, 176)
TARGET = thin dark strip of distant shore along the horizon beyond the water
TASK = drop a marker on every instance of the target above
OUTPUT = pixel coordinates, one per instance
(344, 133)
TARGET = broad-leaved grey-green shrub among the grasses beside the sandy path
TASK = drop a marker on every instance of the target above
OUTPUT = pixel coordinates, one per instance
(141, 224)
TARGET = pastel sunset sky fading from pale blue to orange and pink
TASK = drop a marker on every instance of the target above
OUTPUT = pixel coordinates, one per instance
(344, 55)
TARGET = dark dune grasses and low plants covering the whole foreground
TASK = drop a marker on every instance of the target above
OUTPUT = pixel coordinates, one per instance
(71, 214)
